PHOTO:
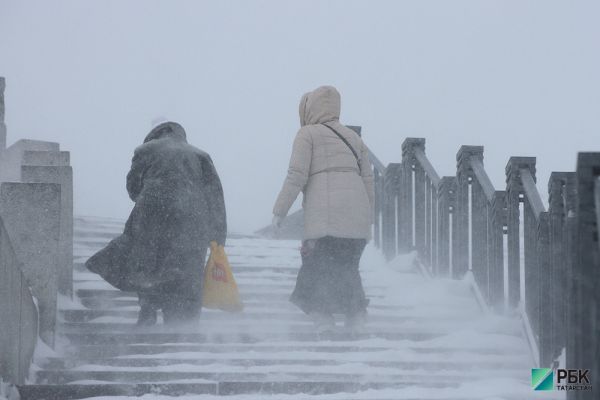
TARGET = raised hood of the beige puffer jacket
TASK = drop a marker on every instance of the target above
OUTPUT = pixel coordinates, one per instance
(321, 105)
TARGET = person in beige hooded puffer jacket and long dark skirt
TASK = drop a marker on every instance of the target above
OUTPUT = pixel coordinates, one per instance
(336, 179)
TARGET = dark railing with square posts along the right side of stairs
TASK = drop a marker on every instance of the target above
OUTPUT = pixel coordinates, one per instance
(461, 224)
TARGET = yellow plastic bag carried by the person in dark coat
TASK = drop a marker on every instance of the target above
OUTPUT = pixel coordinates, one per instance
(220, 289)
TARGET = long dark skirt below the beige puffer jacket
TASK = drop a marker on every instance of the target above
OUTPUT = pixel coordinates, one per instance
(329, 281)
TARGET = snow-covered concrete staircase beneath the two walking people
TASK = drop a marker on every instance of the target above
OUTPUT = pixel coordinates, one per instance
(426, 338)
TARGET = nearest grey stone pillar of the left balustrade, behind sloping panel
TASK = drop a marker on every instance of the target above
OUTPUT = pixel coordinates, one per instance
(31, 214)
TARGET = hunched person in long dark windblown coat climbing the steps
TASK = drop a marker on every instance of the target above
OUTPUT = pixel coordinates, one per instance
(179, 208)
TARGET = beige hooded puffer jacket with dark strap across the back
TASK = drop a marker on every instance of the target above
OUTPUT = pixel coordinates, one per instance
(338, 201)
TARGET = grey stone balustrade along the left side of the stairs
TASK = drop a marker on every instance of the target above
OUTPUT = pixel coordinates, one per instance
(36, 243)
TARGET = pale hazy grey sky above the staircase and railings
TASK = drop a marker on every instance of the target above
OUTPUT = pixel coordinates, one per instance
(519, 77)
